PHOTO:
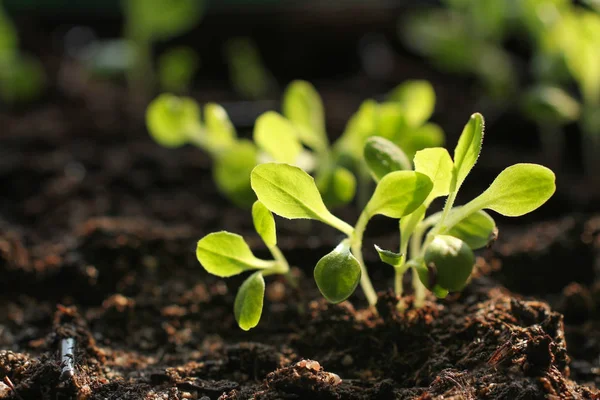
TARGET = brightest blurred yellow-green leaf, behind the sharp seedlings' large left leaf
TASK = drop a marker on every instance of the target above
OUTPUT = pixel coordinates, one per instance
(277, 137)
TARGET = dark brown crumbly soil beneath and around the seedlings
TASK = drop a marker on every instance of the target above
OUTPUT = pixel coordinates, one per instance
(98, 227)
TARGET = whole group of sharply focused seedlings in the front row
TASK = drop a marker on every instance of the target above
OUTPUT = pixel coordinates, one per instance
(441, 245)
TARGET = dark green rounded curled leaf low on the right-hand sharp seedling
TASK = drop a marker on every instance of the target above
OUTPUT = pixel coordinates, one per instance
(449, 263)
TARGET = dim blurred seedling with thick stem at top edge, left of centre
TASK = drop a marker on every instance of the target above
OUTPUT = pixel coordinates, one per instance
(149, 21)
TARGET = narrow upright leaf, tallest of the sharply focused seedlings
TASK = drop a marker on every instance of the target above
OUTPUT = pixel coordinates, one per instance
(467, 150)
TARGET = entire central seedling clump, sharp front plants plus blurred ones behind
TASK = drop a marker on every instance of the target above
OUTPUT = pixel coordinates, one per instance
(273, 173)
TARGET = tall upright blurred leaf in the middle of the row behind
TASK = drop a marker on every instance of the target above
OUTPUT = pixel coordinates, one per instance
(302, 105)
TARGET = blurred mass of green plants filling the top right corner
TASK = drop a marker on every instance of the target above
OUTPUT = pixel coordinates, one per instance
(468, 36)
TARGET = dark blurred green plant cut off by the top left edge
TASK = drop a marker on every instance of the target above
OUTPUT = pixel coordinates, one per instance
(22, 77)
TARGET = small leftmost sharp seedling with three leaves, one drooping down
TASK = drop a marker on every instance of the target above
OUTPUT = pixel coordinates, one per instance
(226, 254)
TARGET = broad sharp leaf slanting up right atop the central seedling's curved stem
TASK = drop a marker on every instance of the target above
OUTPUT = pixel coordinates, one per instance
(399, 193)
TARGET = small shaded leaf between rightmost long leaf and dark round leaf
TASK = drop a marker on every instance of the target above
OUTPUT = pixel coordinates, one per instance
(477, 230)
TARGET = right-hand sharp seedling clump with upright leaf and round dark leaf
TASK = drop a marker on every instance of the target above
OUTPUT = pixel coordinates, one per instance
(440, 247)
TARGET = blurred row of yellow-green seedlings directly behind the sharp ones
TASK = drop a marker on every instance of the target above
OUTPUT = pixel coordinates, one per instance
(298, 137)
